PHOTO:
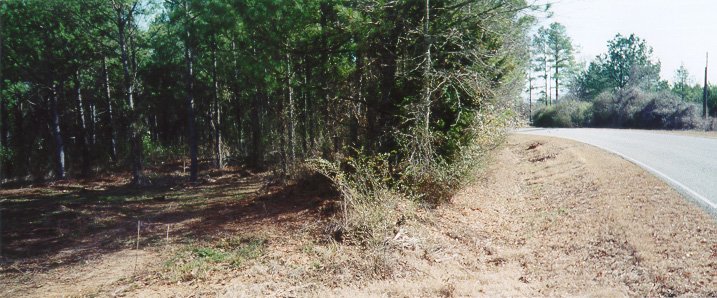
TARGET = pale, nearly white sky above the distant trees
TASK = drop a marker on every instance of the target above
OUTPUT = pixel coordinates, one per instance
(678, 30)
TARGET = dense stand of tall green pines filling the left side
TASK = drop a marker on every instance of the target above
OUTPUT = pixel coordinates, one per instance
(98, 86)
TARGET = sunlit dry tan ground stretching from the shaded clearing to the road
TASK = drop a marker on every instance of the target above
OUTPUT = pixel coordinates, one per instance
(547, 217)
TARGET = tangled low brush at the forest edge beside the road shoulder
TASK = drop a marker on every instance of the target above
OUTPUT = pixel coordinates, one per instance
(380, 193)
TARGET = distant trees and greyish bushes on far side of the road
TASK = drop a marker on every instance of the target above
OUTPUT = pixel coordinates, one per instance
(620, 88)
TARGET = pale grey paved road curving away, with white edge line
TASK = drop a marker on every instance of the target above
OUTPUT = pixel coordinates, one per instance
(687, 163)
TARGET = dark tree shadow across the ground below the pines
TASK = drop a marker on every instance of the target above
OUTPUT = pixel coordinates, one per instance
(46, 227)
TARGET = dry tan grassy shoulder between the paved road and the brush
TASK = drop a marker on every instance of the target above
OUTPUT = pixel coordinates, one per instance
(553, 217)
